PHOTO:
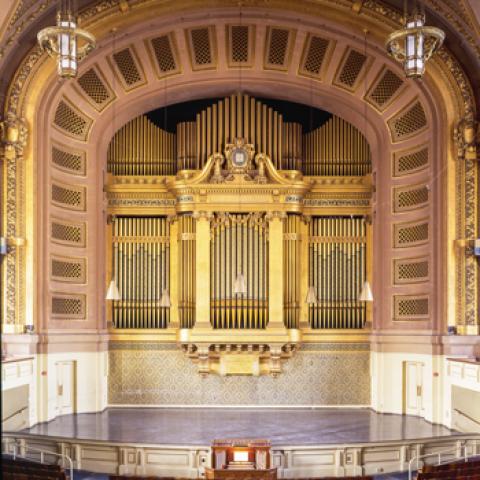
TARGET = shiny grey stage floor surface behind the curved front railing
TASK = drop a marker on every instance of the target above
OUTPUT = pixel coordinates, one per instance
(199, 426)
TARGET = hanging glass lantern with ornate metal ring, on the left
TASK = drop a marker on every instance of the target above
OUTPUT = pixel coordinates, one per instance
(65, 42)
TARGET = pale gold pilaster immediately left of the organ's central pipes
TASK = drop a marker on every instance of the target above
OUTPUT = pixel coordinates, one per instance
(202, 269)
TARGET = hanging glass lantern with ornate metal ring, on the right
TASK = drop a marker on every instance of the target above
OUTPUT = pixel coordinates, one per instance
(415, 43)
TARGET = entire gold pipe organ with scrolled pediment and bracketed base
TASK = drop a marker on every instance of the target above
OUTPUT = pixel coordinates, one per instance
(235, 216)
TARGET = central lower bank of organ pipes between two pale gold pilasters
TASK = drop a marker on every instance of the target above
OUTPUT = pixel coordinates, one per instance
(239, 246)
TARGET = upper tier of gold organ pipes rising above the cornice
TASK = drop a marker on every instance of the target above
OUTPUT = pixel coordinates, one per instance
(336, 148)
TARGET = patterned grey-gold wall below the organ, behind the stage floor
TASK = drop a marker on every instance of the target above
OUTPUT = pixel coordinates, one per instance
(323, 374)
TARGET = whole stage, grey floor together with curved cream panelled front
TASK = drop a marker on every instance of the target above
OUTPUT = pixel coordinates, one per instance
(176, 442)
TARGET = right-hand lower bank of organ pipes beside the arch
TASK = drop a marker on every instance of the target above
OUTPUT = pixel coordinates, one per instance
(337, 270)
